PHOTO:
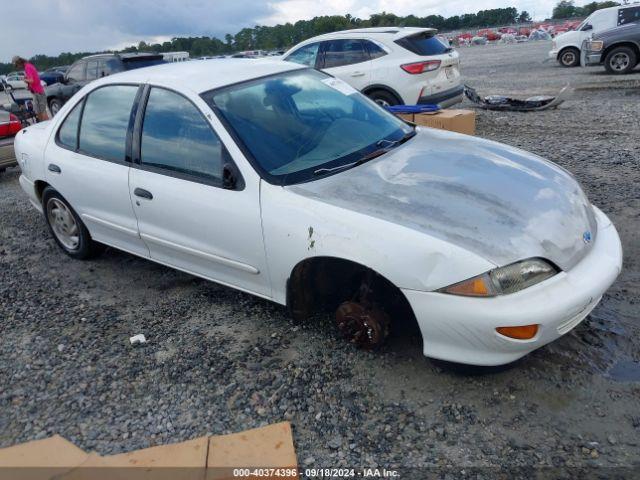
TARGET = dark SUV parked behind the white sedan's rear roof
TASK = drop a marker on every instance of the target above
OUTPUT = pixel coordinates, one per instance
(90, 68)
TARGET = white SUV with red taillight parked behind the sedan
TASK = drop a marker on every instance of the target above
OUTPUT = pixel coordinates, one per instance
(391, 65)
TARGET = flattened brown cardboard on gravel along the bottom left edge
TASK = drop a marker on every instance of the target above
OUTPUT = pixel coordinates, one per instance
(213, 458)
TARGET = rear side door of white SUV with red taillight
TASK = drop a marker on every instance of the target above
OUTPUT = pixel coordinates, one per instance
(348, 60)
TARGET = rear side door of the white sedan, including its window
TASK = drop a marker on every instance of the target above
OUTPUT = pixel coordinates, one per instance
(86, 162)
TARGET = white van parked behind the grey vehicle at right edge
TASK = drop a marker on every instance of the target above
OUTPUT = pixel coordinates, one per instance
(566, 46)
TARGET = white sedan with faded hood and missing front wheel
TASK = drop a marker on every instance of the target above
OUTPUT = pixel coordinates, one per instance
(286, 183)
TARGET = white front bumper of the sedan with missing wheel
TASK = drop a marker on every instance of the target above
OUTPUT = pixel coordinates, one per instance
(462, 329)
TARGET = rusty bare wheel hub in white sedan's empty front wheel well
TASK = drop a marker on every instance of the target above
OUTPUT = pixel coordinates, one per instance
(365, 327)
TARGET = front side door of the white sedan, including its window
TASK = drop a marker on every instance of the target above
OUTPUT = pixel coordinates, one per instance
(187, 216)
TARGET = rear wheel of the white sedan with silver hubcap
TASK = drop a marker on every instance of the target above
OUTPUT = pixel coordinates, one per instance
(65, 226)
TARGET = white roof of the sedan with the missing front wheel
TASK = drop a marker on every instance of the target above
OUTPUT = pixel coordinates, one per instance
(203, 76)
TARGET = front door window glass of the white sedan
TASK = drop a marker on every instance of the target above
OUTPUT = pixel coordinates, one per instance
(178, 138)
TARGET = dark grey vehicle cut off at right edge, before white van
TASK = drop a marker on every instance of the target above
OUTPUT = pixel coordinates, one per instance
(617, 49)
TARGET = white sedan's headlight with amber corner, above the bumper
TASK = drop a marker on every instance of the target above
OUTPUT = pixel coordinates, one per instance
(504, 280)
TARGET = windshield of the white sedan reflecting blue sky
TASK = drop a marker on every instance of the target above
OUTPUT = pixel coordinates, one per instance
(300, 125)
